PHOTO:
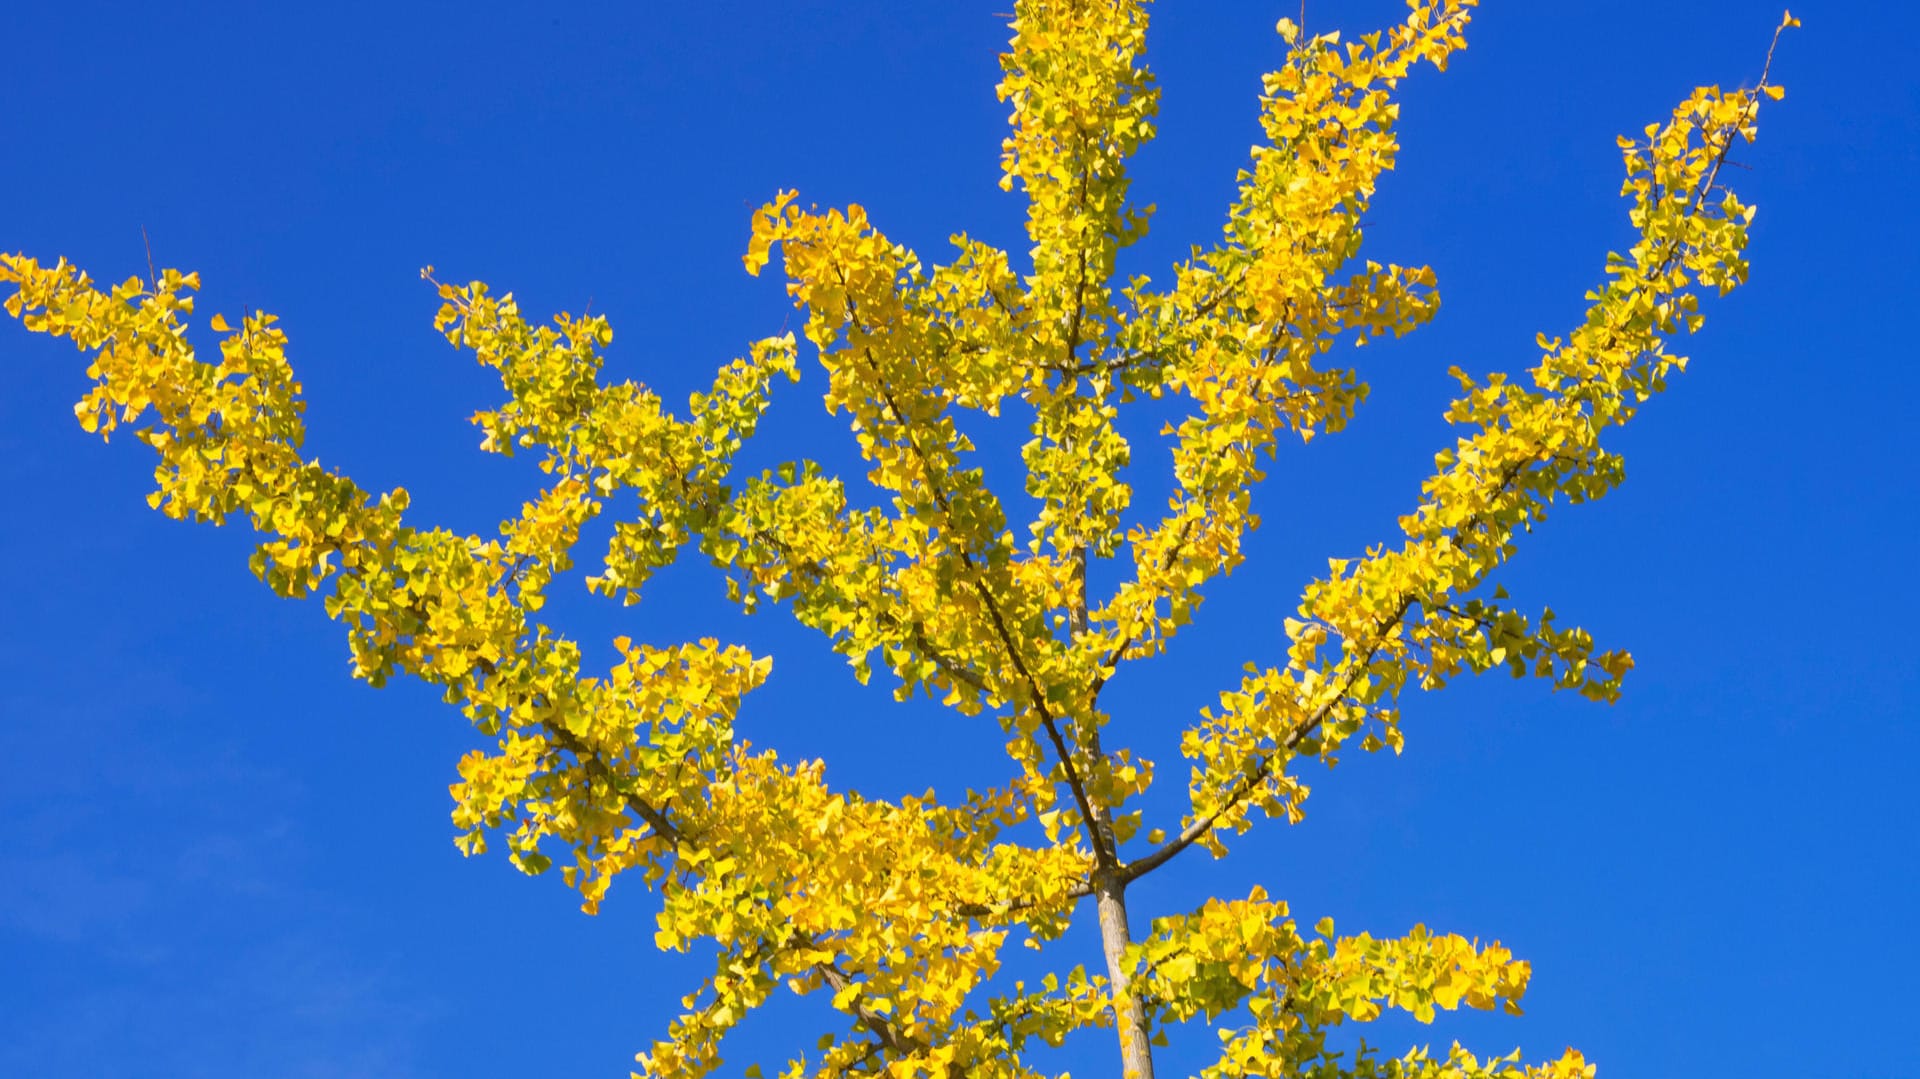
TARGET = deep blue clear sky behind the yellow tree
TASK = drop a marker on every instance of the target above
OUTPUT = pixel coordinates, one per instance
(222, 857)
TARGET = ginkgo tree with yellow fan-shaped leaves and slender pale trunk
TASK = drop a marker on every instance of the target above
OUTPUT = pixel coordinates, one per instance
(900, 911)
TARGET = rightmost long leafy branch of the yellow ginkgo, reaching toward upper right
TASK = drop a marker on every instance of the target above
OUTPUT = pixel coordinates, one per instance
(1531, 448)
